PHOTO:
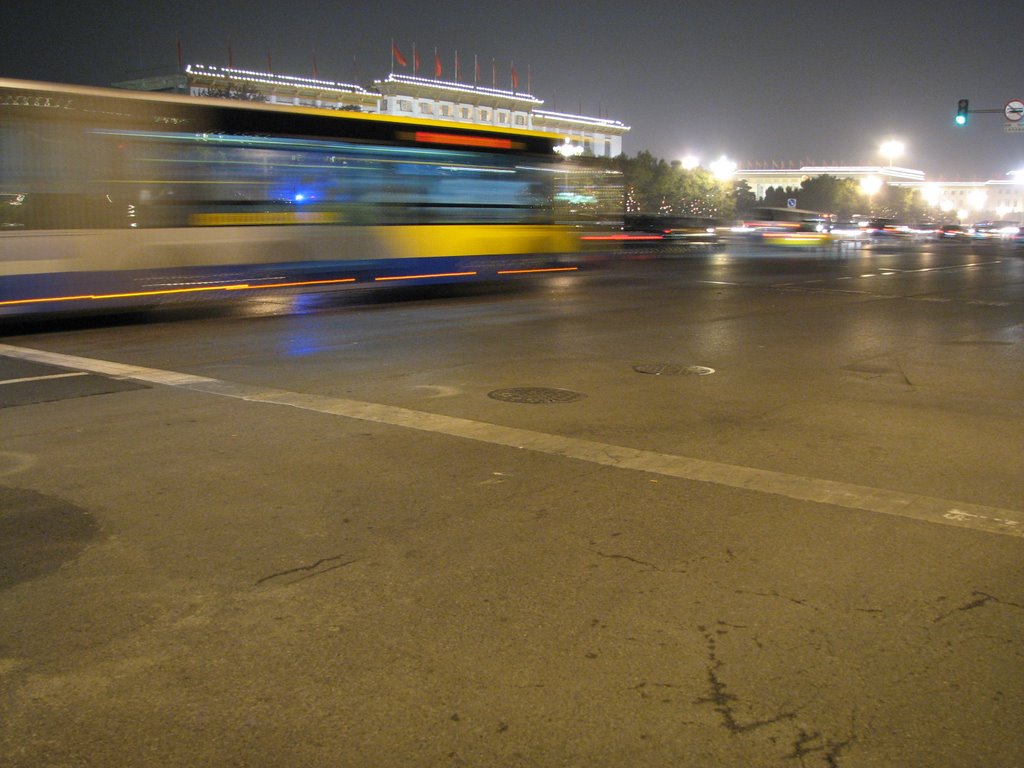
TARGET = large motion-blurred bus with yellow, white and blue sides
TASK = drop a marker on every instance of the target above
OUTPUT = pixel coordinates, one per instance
(113, 198)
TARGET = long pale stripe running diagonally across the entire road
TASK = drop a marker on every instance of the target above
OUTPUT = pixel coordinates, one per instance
(850, 496)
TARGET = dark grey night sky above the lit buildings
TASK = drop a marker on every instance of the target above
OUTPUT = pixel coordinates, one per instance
(789, 82)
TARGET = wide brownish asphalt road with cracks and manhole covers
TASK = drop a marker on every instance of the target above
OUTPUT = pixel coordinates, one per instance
(746, 508)
